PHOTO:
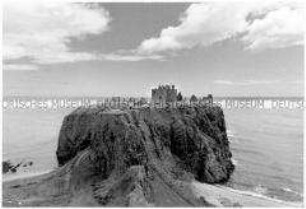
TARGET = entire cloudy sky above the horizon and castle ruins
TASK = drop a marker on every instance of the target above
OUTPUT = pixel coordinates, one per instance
(105, 49)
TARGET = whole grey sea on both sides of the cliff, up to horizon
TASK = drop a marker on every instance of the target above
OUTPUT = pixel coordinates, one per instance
(266, 143)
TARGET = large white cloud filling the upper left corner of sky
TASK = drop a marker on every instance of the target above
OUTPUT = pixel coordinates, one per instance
(40, 30)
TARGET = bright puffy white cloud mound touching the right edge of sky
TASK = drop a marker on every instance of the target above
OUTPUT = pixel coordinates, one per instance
(279, 28)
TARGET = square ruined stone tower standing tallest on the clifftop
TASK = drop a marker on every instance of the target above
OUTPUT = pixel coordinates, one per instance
(164, 94)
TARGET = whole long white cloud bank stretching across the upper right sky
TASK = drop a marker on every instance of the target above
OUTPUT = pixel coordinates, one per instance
(260, 25)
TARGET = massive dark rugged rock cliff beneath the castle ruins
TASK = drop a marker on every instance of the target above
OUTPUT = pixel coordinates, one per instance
(140, 157)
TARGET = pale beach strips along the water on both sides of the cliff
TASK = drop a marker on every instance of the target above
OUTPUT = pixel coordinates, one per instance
(218, 195)
